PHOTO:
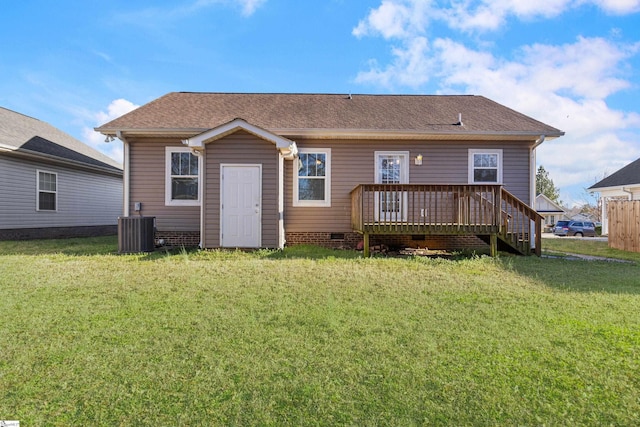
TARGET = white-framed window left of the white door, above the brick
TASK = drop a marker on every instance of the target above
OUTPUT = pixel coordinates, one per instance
(182, 173)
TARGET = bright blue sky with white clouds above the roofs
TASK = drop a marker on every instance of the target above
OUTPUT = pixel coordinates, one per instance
(574, 65)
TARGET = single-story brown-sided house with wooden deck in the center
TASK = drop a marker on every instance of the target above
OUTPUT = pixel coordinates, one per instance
(264, 170)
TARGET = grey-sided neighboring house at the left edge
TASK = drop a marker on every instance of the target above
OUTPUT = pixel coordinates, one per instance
(52, 185)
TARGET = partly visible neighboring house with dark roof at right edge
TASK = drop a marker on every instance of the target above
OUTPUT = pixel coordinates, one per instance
(623, 184)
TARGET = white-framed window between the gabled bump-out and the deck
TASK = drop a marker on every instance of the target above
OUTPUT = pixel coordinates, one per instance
(312, 178)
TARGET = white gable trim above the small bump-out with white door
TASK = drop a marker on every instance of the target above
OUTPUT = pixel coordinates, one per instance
(286, 146)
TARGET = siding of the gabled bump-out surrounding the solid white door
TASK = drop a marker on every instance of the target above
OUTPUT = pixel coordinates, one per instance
(241, 148)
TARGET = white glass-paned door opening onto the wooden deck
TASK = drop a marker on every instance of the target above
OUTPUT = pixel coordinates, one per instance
(392, 167)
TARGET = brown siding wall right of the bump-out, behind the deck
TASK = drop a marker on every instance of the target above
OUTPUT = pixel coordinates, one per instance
(353, 163)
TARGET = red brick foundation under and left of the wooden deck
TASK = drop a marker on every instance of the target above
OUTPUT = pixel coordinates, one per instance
(351, 240)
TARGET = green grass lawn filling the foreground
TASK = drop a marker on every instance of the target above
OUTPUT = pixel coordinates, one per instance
(313, 337)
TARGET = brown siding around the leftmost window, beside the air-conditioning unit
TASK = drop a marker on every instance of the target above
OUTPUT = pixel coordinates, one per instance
(147, 185)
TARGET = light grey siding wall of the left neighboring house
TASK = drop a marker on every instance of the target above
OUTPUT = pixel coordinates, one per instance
(83, 198)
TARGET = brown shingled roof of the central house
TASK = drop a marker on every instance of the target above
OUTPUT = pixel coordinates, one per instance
(285, 113)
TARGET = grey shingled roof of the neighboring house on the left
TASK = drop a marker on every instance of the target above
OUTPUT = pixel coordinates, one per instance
(24, 134)
